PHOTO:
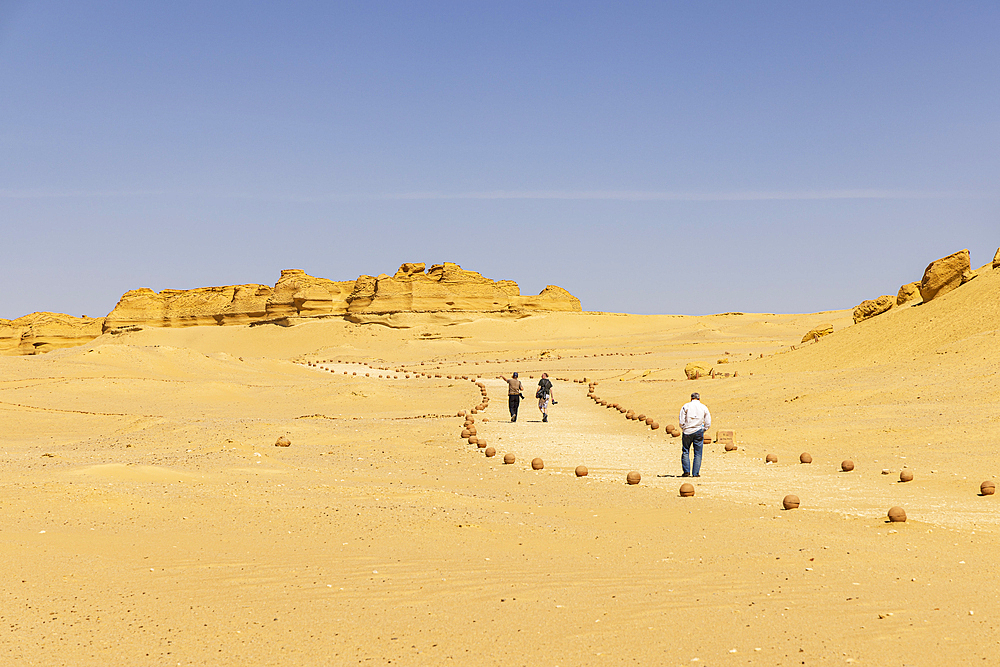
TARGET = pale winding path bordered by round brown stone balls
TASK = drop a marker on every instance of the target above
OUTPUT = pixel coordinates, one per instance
(580, 432)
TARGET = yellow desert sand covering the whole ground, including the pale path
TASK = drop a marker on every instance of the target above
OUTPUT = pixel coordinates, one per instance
(148, 518)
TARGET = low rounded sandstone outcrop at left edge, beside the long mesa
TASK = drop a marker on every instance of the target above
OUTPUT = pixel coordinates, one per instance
(43, 332)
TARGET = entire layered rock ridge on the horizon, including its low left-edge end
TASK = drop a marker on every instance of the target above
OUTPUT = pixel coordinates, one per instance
(297, 296)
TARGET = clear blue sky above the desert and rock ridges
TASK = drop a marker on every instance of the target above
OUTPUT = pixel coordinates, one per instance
(651, 157)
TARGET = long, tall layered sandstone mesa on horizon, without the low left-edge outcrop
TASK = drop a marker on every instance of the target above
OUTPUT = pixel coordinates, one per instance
(413, 289)
